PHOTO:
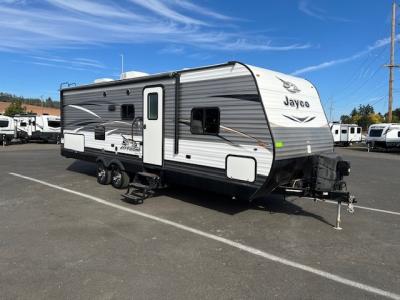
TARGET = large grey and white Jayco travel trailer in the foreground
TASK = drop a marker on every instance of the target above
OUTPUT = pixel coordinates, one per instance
(232, 128)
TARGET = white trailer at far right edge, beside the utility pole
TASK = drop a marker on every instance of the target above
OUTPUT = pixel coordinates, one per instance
(385, 135)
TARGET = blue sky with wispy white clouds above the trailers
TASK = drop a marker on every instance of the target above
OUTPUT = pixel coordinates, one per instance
(341, 46)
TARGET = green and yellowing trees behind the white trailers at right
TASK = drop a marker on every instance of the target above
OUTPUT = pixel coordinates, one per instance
(365, 116)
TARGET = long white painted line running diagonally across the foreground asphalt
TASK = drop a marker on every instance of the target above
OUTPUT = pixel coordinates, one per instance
(226, 241)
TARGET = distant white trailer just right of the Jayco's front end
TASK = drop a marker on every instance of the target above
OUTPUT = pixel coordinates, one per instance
(346, 134)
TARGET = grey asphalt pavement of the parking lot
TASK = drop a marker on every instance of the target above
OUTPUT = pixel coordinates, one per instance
(60, 242)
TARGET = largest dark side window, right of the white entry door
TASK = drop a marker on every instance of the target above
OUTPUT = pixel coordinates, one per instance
(205, 120)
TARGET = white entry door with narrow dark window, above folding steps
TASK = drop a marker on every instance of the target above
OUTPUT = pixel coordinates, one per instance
(152, 125)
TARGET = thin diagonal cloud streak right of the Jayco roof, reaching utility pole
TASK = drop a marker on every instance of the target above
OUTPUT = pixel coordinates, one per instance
(378, 44)
